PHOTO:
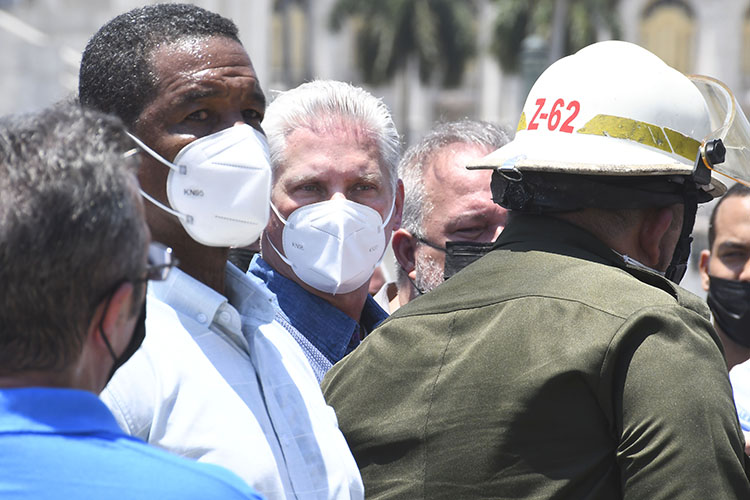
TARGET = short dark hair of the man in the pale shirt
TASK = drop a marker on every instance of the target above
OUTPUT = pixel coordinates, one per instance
(116, 74)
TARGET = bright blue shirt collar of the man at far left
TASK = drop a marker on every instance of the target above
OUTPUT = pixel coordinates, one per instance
(48, 410)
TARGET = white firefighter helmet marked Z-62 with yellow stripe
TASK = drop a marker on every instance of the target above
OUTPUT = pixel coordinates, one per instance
(614, 109)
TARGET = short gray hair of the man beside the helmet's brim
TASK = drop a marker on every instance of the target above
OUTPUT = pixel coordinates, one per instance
(417, 204)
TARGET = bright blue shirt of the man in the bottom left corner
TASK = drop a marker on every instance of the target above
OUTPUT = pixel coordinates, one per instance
(64, 443)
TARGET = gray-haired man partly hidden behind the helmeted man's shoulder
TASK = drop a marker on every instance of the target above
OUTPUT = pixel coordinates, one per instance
(449, 217)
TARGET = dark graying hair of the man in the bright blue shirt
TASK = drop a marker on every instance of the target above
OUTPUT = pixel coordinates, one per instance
(71, 229)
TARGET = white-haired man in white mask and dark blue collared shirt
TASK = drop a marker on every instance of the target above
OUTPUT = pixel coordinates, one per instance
(336, 198)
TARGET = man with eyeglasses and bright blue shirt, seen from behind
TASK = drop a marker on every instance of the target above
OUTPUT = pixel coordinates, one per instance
(73, 267)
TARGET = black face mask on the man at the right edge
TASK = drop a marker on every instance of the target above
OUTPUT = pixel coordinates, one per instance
(729, 301)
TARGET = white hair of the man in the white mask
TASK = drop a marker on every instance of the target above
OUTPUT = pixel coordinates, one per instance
(323, 104)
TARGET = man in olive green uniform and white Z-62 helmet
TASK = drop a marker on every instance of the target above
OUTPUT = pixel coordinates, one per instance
(565, 364)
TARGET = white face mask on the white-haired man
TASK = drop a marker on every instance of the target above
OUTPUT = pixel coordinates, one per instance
(334, 246)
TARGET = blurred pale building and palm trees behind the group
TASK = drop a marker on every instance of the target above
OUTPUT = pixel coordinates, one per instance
(429, 60)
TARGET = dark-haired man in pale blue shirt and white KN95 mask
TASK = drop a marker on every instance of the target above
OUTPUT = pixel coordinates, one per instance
(216, 379)
